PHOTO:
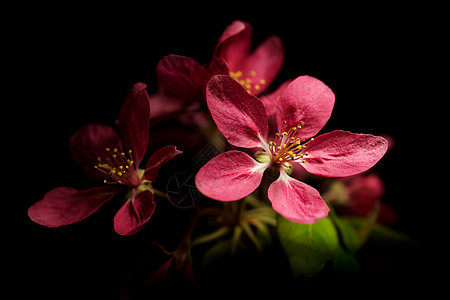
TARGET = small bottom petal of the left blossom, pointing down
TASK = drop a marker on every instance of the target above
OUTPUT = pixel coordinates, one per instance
(135, 213)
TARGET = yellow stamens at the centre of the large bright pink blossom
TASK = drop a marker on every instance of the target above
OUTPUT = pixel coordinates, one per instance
(286, 148)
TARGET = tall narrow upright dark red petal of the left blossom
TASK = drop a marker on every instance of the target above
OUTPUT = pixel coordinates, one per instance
(134, 121)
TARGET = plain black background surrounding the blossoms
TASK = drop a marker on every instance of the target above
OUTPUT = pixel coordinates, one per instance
(76, 65)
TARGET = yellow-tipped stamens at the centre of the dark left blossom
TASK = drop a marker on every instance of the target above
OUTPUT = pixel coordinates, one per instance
(119, 166)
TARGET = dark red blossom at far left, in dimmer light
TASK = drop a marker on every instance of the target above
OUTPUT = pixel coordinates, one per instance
(115, 158)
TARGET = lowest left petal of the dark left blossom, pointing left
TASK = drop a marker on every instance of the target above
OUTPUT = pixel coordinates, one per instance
(66, 205)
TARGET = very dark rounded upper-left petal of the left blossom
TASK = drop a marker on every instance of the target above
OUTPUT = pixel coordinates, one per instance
(90, 142)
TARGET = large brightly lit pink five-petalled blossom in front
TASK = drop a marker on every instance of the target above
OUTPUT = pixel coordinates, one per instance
(304, 108)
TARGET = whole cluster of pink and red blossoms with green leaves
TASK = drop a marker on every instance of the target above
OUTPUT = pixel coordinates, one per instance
(272, 137)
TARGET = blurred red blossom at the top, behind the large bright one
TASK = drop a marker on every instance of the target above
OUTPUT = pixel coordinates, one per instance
(184, 80)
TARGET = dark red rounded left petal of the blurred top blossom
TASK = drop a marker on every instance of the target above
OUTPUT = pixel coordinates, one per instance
(182, 77)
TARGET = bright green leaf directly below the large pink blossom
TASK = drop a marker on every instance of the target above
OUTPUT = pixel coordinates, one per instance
(308, 247)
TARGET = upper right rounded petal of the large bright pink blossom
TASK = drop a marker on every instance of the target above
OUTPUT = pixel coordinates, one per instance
(307, 102)
